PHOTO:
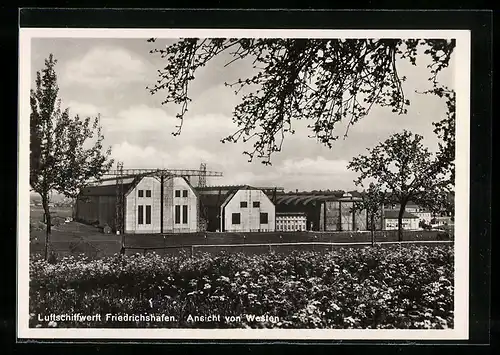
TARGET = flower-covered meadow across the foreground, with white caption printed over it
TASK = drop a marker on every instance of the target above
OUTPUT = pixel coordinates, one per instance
(388, 287)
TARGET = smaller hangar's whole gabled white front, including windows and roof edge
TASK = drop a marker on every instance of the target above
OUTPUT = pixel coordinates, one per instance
(248, 210)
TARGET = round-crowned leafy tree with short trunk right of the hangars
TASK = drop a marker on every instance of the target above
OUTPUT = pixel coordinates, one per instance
(408, 170)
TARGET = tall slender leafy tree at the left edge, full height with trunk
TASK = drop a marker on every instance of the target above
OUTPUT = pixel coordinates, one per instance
(58, 159)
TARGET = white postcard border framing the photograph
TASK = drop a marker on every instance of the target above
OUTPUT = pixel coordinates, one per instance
(462, 87)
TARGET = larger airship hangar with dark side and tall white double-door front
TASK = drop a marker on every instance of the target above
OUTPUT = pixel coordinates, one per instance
(150, 205)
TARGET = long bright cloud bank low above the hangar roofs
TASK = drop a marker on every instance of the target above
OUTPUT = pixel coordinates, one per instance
(302, 174)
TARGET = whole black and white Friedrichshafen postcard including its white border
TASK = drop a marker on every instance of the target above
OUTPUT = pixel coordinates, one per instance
(243, 184)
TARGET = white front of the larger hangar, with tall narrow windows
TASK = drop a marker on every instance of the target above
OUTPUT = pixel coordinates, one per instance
(144, 210)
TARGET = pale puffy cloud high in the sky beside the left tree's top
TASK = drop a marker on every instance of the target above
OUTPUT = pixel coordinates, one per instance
(105, 67)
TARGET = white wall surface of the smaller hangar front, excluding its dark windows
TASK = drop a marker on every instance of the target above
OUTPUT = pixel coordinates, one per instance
(249, 216)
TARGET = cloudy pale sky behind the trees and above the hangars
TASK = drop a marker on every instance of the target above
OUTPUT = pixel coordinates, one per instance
(109, 76)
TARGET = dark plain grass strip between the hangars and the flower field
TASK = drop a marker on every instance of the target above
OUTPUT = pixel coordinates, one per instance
(76, 238)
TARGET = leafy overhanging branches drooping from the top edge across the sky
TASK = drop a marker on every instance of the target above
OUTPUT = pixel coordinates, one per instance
(323, 80)
